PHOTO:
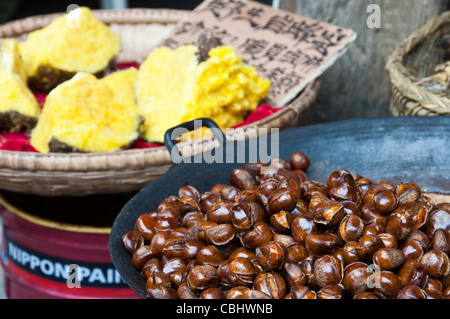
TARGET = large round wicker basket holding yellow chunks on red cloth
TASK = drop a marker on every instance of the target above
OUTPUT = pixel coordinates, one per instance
(55, 174)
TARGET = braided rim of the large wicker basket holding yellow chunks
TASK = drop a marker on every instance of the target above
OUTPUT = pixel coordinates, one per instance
(131, 158)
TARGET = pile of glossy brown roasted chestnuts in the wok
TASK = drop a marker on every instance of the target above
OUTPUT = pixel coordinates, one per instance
(272, 233)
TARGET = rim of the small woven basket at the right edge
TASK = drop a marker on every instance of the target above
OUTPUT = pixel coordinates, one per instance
(403, 81)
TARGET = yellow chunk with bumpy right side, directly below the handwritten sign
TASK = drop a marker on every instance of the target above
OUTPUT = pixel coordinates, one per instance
(172, 88)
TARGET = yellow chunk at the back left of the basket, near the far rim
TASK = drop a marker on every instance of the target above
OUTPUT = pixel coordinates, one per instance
(74, 42)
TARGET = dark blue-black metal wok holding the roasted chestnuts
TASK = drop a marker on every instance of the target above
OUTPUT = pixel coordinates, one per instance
(400, 149)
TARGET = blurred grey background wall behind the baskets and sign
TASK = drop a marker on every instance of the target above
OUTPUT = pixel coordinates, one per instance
(356, 86)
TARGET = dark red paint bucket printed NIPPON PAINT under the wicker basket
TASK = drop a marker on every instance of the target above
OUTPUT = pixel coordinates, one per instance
(58, 247)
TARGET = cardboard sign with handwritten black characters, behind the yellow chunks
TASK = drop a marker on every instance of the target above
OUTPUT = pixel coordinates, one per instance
(288, 49)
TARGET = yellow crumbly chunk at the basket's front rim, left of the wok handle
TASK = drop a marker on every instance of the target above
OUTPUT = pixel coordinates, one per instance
(90, 115)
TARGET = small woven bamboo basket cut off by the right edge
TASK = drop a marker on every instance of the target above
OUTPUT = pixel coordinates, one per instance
(414, 59)
